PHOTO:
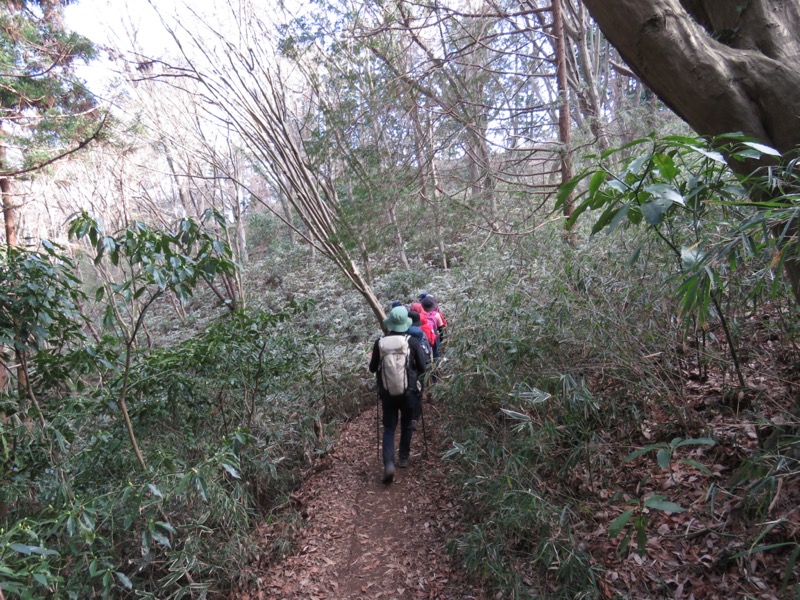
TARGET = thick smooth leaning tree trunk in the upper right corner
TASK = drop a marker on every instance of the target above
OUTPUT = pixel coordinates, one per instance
(722, 66)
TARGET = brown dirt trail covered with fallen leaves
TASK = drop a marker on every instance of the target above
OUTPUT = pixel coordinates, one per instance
(365, 539)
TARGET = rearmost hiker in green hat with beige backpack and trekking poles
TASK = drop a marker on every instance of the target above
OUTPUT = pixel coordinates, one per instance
(399, 363)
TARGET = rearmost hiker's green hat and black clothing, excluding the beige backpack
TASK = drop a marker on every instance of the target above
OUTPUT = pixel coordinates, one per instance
(398, 323)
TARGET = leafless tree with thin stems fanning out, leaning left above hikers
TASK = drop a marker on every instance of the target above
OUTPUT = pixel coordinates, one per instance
(246, 89)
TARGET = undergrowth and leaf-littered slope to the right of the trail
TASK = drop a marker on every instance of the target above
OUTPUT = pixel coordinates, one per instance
(598, 415)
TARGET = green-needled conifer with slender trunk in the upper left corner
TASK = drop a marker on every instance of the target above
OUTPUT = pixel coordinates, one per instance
(45, 110)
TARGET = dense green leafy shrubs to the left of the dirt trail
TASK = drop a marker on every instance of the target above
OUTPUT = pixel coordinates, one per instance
(228, 407)
